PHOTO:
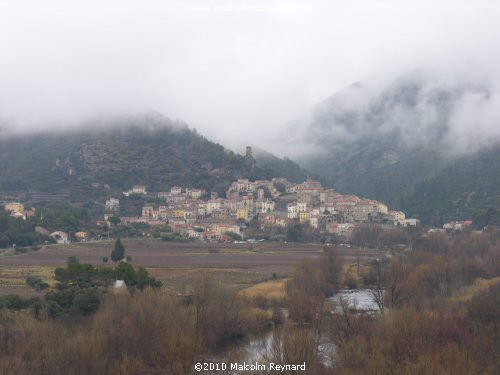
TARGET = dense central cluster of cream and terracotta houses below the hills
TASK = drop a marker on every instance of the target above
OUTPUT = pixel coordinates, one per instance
(274, 204)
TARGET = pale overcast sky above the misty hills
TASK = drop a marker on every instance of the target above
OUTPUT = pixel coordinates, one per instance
(232, 69)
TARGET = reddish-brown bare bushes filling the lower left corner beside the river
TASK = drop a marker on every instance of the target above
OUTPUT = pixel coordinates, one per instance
(149, 332)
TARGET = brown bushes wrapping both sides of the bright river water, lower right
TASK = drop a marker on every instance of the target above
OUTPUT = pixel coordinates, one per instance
(425, 328)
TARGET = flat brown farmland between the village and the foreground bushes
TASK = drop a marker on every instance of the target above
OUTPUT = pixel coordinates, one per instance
(175, 264)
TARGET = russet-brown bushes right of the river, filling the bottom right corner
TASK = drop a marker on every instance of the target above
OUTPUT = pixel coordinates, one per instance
(426, 329)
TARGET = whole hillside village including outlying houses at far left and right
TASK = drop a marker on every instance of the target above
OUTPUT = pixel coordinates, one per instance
(276, 209)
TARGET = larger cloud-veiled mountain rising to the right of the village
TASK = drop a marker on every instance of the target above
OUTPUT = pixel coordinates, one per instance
(424, 142)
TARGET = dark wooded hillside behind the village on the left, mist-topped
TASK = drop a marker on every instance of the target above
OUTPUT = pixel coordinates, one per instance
(150, 150)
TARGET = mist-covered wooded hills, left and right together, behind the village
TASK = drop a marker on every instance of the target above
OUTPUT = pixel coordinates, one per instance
(422, 143)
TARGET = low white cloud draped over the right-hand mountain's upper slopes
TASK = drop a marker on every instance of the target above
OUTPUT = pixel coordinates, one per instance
(442, 111)
